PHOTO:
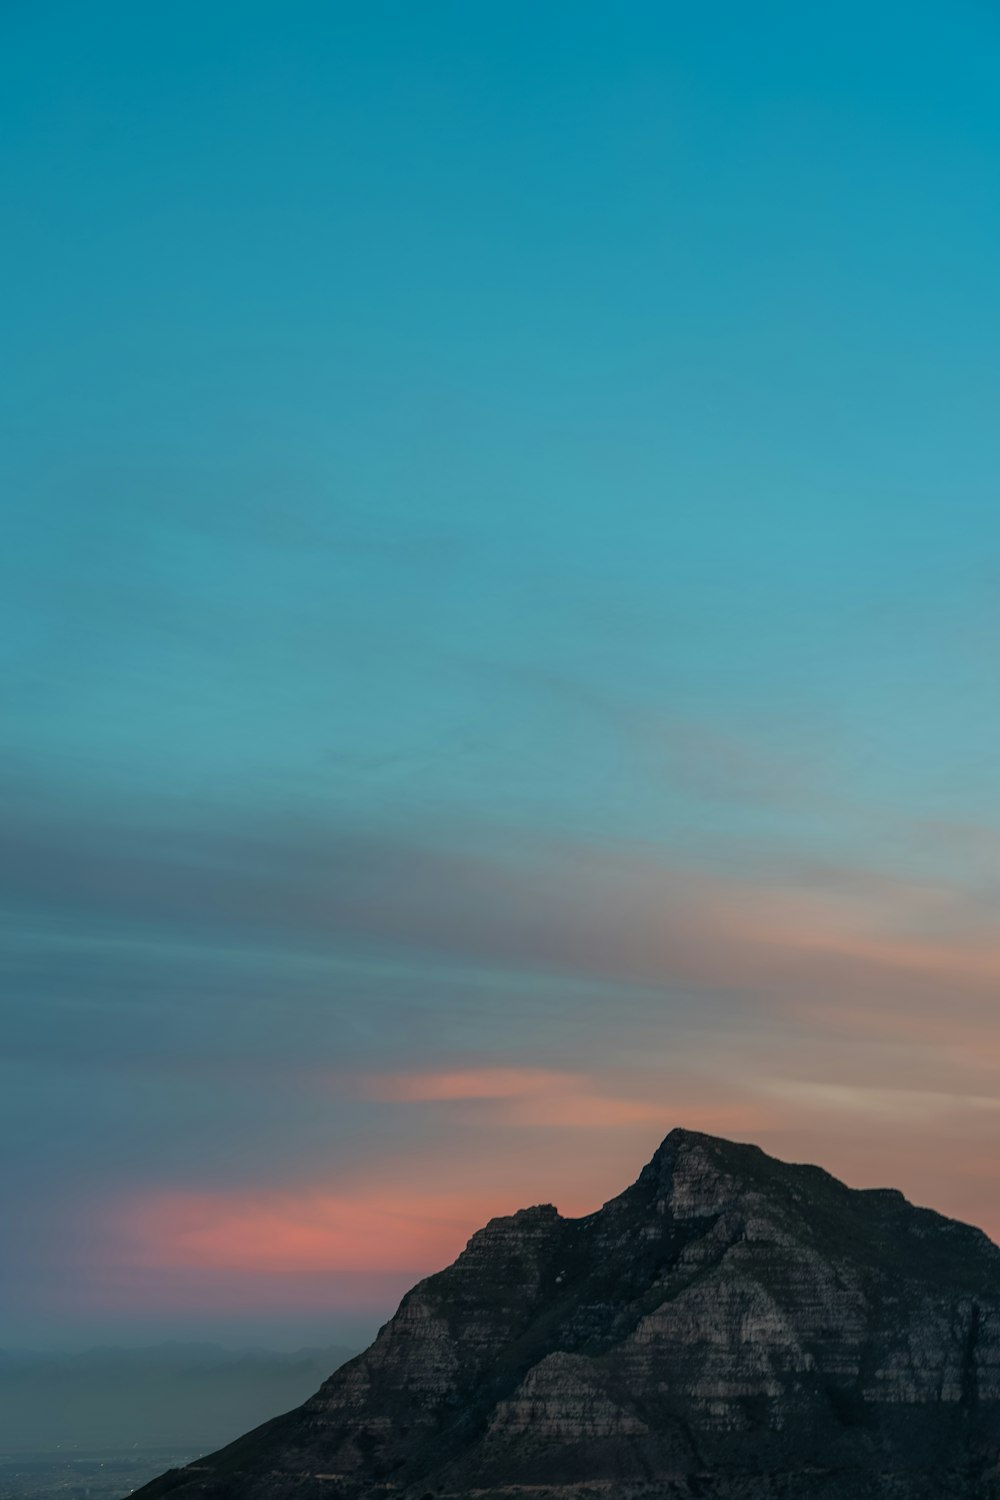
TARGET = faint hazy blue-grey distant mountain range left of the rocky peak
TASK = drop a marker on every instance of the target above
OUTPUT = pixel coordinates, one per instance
(167, 1396)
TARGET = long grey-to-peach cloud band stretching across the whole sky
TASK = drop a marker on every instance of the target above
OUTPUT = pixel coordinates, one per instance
(606, 913)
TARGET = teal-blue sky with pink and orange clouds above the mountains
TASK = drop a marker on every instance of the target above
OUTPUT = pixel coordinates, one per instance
(500, 629)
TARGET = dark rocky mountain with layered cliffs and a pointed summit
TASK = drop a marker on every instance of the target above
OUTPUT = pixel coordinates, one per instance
(729, 1328)
